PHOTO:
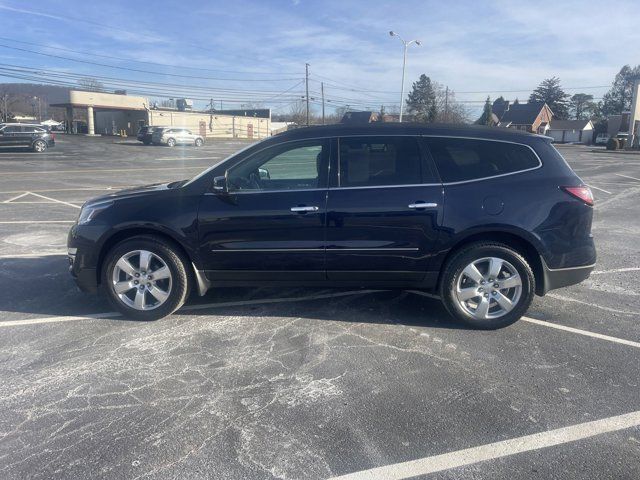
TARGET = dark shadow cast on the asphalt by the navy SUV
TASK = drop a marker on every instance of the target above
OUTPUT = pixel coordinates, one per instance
(42, 286)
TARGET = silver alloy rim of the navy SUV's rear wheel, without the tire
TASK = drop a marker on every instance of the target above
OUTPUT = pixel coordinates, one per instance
(488, 288)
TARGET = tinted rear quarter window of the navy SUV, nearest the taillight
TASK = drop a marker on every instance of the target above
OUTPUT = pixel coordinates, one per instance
(459, 160)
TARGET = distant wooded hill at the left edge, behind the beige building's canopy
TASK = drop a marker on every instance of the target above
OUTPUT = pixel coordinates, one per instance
(20, 98)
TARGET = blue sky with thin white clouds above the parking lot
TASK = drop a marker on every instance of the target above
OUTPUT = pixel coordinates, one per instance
(256, 51)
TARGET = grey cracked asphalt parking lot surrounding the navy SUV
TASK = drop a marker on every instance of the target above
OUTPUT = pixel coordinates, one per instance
(300, 383)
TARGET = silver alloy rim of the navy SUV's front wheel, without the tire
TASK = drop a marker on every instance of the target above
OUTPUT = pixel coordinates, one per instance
(142, 280)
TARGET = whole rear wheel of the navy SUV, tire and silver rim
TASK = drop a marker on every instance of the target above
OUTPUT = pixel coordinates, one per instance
(487, 285)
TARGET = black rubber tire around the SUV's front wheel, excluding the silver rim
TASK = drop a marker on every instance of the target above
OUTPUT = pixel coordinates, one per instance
(170, 255)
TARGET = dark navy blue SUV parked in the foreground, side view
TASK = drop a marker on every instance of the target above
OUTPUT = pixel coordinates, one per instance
(485, 218)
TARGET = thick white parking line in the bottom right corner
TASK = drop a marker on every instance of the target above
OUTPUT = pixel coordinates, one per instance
(482, 453)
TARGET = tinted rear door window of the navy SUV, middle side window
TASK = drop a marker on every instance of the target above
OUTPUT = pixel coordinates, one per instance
(378, 161)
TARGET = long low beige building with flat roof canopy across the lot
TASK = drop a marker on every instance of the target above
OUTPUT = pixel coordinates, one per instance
(110, 114)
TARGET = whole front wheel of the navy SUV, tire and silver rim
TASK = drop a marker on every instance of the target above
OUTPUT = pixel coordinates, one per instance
(145, 278)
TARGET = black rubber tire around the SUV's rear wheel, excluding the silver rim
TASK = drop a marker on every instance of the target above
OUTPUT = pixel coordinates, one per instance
(474, 252)
